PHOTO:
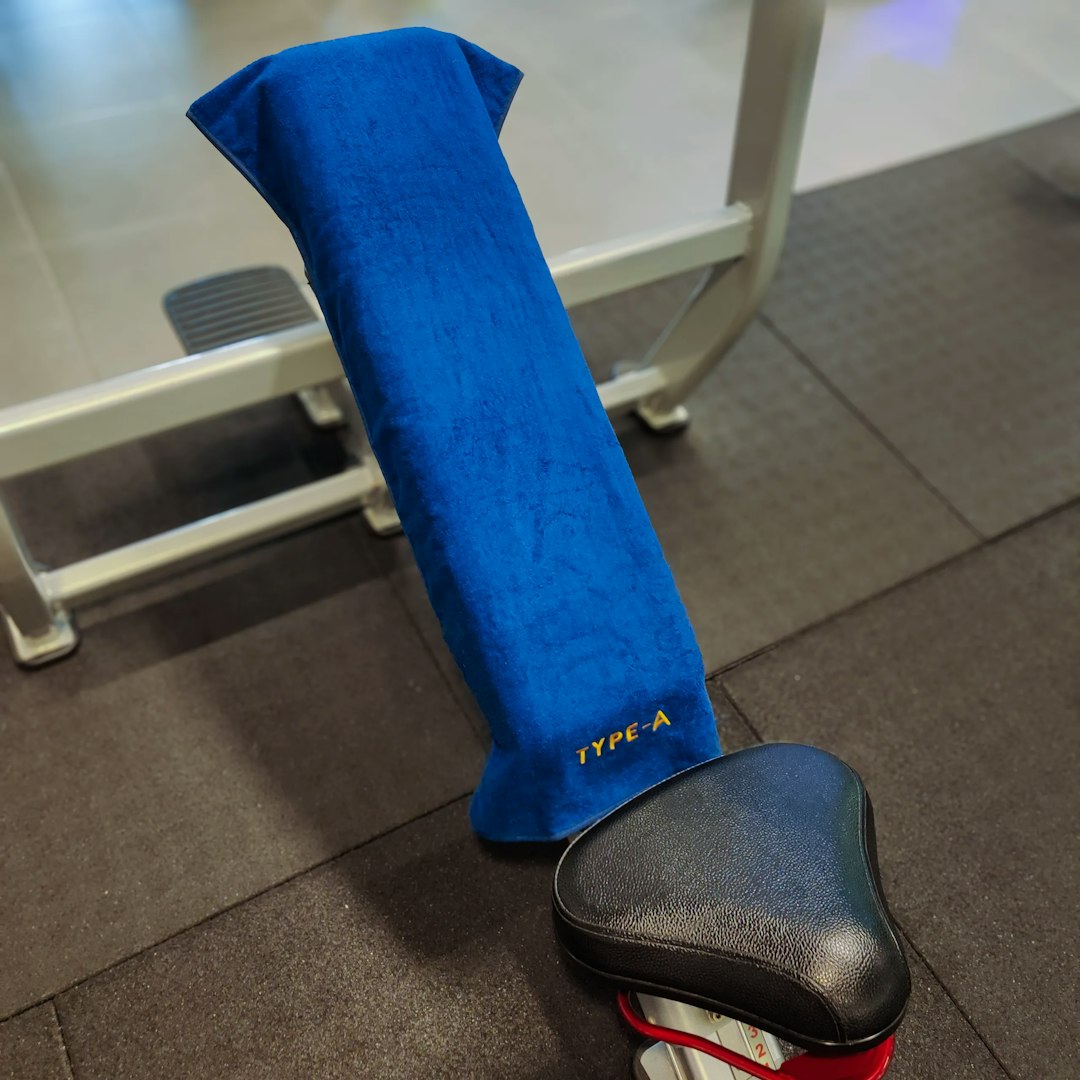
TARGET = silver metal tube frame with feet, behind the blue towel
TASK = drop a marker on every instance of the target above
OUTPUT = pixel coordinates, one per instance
(737, 247)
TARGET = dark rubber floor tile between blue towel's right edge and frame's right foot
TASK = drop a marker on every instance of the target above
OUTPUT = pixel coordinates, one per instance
(777, 508)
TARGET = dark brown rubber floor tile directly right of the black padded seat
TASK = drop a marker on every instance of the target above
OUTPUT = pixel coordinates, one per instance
(958, 699)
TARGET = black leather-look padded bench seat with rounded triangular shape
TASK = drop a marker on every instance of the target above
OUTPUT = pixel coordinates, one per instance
(748, 886)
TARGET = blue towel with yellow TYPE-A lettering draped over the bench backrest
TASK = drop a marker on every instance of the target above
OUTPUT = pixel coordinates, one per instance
(381, 154)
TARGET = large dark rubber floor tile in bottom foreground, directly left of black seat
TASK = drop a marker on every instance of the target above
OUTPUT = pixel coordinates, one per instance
(425, 954)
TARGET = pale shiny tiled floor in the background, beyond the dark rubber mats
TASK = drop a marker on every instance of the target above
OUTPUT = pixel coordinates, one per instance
(109, 197)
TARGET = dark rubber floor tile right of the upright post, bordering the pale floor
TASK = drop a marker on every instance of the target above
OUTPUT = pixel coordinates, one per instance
(940, 299)
